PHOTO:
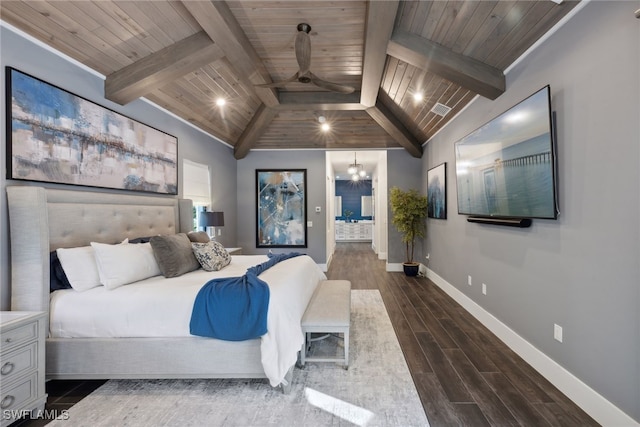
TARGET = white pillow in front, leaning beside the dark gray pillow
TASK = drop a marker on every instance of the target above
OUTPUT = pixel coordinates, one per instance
(123, 264)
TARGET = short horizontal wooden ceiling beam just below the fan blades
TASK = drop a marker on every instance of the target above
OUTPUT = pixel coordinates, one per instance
(324, 101)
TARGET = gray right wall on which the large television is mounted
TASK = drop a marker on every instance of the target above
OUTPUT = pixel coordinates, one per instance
(580, 271)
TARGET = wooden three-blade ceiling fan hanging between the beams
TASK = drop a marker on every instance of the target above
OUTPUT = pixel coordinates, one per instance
(304, 74)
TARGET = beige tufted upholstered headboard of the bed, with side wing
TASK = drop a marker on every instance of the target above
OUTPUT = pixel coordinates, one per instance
(42, 220)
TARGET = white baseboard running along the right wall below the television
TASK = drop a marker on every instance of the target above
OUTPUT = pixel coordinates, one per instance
(599, 408)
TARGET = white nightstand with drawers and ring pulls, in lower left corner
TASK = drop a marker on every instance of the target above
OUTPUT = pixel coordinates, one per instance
(22, 335)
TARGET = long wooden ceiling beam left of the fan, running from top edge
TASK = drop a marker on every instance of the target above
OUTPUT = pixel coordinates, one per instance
(217, 20)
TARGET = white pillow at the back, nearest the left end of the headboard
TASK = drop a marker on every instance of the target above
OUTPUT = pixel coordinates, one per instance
(79, 264)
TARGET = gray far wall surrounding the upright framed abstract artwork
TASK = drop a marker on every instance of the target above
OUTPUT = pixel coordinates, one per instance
(314, 163)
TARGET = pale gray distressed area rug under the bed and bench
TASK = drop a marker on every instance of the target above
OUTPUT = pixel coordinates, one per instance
(376, 390)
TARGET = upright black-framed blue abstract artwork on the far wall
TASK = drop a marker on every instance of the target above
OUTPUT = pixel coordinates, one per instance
(281, 197)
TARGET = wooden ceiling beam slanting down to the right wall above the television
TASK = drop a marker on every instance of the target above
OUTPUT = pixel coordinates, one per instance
(469, 73)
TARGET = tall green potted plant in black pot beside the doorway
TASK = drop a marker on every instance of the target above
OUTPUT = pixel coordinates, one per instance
(409, 210)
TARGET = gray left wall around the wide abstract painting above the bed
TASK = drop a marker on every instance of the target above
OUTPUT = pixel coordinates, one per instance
(30, 58)
